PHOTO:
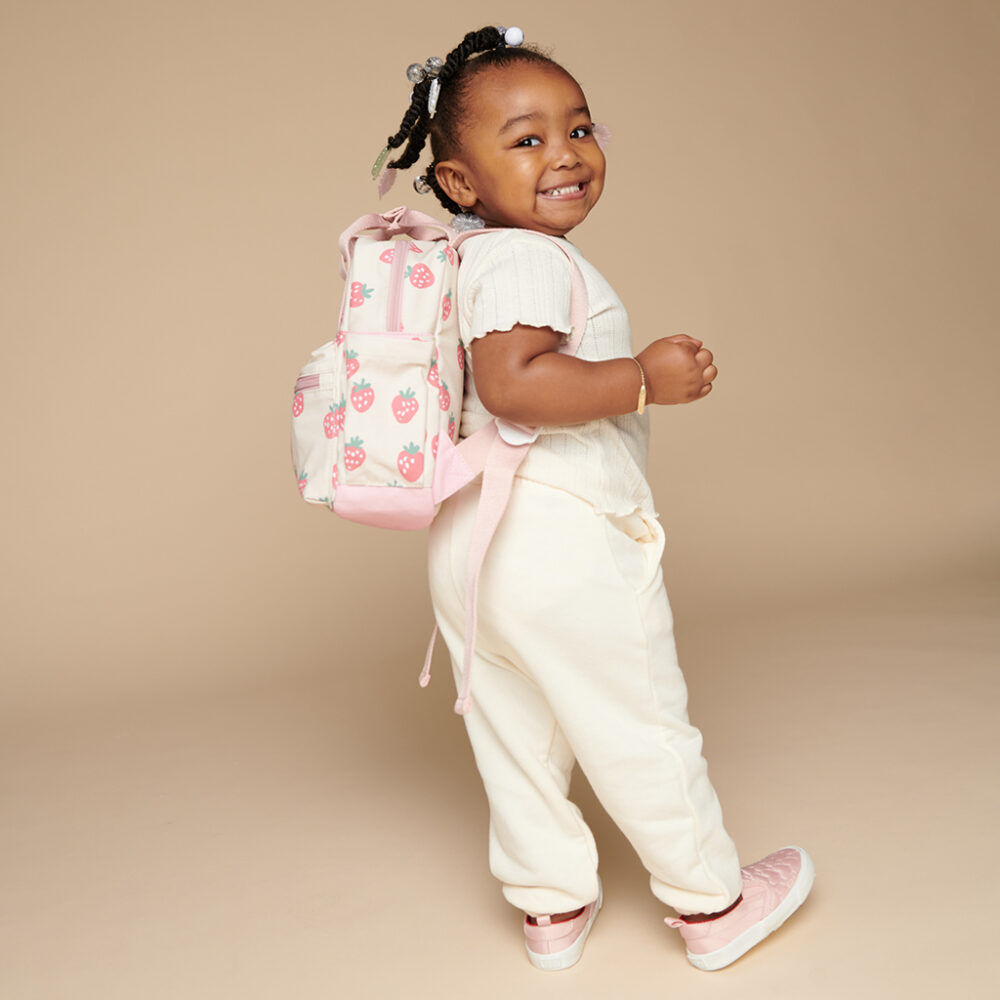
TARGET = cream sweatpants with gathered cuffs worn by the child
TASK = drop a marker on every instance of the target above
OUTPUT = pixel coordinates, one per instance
(575, 660)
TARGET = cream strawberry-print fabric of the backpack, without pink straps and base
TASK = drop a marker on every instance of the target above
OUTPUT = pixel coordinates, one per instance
(365, 411)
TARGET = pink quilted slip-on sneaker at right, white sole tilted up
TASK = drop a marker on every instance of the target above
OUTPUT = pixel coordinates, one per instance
(773, 889)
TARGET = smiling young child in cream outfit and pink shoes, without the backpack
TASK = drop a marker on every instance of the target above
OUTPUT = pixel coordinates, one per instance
(575, 657)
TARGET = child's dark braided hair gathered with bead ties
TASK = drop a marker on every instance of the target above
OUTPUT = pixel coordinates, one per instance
(456, 75)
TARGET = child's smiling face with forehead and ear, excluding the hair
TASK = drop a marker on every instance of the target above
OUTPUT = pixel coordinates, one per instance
(528, 157)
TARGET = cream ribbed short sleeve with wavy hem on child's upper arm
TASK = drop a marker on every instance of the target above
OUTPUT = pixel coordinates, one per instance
(512, 278)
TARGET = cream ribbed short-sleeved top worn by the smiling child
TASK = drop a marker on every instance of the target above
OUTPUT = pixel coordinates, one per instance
(518, 277)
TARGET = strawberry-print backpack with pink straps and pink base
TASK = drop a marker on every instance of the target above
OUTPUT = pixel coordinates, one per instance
(376, 411)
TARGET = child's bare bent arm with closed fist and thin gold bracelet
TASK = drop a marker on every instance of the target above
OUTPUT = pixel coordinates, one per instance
(521, 377)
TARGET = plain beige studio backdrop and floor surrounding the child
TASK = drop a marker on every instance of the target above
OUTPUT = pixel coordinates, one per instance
(219, 776)
